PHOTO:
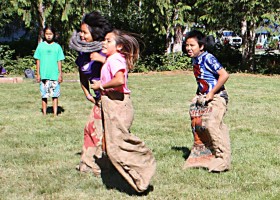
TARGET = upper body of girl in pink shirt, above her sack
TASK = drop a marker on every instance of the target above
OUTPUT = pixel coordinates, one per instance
(122, 52)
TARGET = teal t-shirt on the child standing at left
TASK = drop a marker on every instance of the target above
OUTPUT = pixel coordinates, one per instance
(49, 55)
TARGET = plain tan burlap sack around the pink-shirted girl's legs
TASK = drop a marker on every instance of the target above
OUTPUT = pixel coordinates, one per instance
(130, 156)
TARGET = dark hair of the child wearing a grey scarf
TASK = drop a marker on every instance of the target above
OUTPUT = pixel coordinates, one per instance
(97, 25)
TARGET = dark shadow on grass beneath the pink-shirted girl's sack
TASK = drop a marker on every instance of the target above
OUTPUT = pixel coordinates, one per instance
(112, 179)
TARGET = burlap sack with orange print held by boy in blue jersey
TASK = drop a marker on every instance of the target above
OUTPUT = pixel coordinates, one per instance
(211, 147)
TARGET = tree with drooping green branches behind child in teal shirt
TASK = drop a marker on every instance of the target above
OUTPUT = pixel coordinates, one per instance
(63, 15)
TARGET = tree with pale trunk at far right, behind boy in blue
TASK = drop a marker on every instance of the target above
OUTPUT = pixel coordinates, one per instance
(242, 16)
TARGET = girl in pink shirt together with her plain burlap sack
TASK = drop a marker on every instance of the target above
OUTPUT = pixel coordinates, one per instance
(129, 155)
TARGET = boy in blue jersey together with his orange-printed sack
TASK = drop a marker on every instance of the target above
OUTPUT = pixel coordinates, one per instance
(211, 149)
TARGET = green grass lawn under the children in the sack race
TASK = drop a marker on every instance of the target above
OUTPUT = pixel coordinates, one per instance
(39, 154)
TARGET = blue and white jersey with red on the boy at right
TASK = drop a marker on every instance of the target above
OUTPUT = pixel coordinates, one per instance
(205, 68)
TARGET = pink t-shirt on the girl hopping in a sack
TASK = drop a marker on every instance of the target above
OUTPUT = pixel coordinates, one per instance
(113, 64)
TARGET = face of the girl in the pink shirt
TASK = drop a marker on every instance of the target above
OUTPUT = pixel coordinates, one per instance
(109, 45)
